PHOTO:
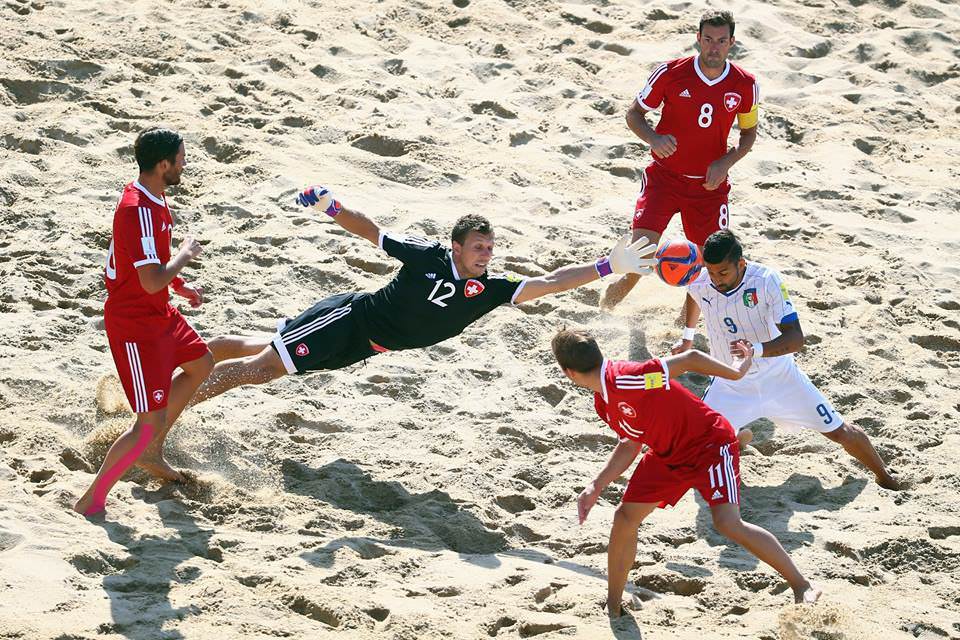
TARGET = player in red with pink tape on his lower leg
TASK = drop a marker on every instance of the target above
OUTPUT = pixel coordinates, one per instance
(148, 337)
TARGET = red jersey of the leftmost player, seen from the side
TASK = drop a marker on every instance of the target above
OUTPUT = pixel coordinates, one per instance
(142, 226)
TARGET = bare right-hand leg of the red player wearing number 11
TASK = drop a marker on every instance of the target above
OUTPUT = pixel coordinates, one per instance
(762, 543)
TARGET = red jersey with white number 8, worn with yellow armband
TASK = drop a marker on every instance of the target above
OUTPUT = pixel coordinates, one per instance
(697, 111)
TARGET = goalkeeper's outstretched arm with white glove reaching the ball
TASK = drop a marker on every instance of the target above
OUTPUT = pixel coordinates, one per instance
(624, 258)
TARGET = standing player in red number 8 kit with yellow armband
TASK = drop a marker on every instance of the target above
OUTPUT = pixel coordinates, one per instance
(701, 96)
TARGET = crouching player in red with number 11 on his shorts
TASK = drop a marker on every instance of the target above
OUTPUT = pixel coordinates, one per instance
(690, 445)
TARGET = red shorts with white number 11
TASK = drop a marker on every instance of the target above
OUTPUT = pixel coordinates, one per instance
(716, 476)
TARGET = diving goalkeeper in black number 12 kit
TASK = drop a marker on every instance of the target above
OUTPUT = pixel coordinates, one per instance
(438, 292)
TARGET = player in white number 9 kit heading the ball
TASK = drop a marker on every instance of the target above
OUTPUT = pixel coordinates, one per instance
(747, 302)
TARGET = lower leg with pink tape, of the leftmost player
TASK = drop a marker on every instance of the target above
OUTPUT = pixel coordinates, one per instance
(122, 455)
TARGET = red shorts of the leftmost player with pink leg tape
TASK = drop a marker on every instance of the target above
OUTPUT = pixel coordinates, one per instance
(145, 364)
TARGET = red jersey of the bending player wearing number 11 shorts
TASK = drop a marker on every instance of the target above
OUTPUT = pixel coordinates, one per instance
(640, 403)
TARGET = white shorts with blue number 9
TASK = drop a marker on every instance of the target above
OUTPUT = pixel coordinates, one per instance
(782, 394)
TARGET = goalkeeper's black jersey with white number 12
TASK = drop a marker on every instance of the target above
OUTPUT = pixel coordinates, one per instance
(428, 302)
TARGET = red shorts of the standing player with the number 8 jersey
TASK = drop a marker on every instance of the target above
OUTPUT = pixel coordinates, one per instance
(663, 193)
